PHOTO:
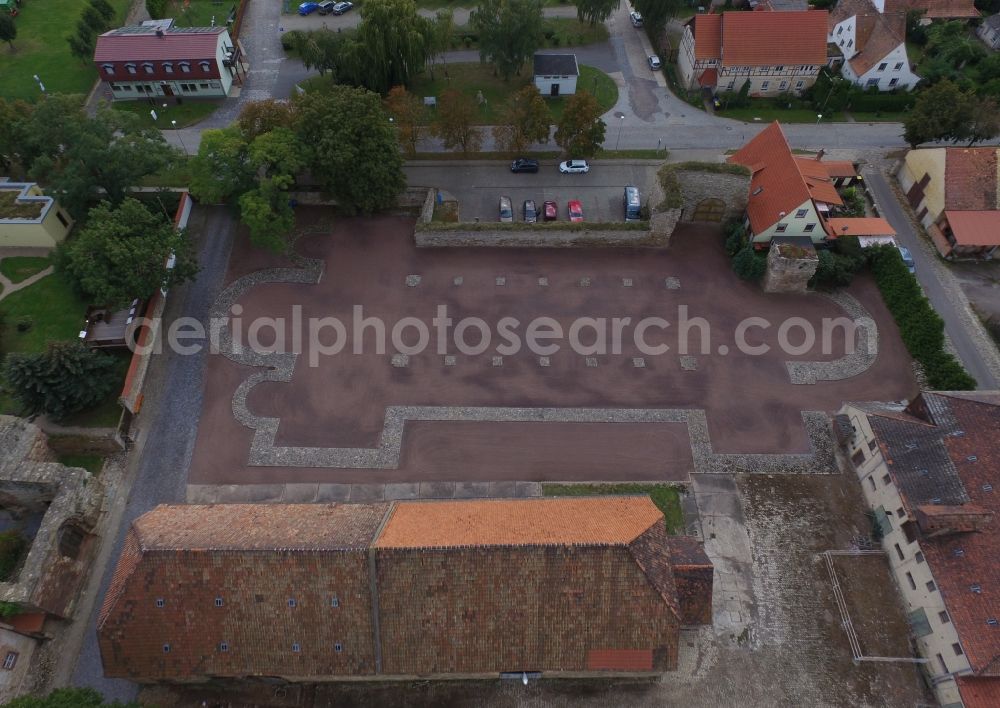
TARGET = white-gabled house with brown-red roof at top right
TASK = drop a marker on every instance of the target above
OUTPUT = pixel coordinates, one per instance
(871, 34)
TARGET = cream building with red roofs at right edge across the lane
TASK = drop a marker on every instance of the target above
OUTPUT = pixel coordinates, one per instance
(955, 193)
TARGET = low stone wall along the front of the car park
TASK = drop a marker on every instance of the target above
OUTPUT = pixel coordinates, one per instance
(540, 238)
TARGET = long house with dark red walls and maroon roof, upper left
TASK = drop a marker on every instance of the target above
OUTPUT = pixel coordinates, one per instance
(155, 61)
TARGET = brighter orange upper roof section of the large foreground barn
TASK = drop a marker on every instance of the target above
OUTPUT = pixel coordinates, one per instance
(518, 522)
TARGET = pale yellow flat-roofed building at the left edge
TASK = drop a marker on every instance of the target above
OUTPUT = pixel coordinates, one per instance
(29, 219)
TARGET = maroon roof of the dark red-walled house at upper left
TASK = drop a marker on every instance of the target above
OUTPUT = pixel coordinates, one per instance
(174, 45)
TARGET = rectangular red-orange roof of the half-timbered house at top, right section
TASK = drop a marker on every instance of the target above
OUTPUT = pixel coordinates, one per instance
(774, 38)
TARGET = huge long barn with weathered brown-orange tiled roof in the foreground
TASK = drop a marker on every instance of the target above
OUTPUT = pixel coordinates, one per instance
(313, 592)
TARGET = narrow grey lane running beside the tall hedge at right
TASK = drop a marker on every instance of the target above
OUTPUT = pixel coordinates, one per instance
(939, 285)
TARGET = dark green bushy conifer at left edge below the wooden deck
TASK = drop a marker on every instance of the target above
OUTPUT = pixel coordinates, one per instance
(64, 379)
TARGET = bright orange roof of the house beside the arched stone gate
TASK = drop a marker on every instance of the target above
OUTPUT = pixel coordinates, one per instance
(781, 182)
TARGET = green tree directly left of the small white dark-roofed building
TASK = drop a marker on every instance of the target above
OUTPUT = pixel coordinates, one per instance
(510, 31)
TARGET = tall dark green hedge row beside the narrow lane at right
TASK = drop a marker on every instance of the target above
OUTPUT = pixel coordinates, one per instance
(921, 328)
